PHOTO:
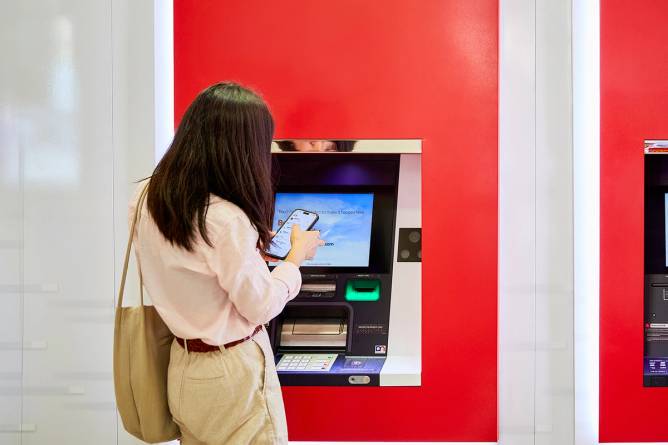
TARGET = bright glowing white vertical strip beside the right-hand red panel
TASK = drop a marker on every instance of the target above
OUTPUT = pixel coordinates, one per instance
(586, 145)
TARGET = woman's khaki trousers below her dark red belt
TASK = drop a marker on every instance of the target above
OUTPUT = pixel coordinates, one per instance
(227, 397)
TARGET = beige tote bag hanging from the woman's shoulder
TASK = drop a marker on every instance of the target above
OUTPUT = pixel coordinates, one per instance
(142, 343)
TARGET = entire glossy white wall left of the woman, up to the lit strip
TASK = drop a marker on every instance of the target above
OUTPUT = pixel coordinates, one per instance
(76, 129)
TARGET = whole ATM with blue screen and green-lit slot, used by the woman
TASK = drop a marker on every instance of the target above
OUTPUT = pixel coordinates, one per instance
(357, 318)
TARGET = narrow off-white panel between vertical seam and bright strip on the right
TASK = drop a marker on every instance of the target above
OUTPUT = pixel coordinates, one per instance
(554, 225)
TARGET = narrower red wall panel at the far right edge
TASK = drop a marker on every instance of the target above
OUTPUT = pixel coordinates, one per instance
(634, 100)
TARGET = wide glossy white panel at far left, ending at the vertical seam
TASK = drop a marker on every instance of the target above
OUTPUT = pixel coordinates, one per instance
(57, 101)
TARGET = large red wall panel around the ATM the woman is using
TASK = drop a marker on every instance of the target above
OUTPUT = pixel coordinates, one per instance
(385, 69)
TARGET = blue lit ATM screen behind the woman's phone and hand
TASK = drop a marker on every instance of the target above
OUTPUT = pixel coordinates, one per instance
(344, 224)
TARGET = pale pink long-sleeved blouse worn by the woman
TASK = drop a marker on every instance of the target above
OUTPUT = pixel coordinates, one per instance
(218, 294)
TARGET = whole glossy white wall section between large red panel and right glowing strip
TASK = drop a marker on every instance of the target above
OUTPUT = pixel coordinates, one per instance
(536, 355)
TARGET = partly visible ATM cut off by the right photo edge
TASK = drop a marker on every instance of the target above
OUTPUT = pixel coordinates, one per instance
(655, 372)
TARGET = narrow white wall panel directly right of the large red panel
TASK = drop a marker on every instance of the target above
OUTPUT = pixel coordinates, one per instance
(517, 232)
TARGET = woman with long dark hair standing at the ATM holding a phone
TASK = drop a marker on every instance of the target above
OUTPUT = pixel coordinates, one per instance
(206, 221)
